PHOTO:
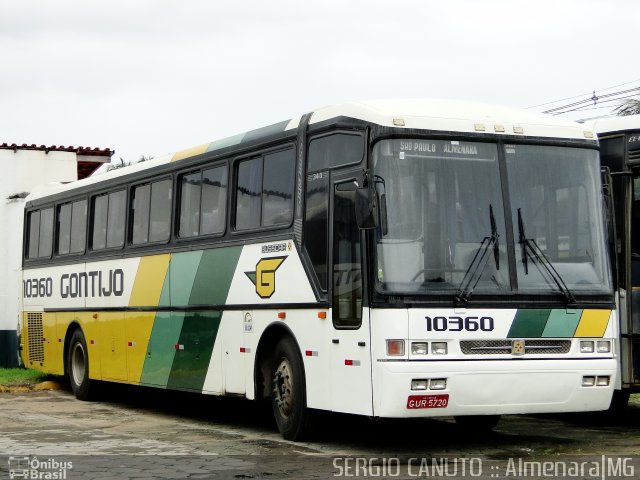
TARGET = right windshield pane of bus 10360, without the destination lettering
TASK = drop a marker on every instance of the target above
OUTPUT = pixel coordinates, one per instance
(556, 207)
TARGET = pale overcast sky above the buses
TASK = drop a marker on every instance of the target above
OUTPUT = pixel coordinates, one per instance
(150, 77)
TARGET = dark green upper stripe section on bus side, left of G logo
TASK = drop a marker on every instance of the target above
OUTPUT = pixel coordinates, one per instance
(213, 278)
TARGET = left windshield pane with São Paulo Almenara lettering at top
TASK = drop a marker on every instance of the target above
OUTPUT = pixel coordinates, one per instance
(442, 198)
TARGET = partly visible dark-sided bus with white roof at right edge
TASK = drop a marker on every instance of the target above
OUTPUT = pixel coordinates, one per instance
(620, 152)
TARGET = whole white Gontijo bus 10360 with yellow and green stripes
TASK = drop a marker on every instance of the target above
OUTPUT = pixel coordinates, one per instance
(415, 258)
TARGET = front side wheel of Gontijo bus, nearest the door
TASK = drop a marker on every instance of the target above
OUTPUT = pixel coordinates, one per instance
(288, 393)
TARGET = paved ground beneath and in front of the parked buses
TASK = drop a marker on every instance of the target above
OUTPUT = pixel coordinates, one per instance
(146, 433)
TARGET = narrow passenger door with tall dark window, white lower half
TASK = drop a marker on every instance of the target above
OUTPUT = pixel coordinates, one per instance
(350, 373)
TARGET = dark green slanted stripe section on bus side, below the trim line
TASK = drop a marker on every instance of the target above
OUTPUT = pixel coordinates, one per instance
(191, 362)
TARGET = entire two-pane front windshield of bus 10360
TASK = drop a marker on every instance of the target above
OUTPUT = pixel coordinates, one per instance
(446, 228)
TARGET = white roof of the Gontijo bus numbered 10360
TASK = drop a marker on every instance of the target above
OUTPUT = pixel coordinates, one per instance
(425, 114)
